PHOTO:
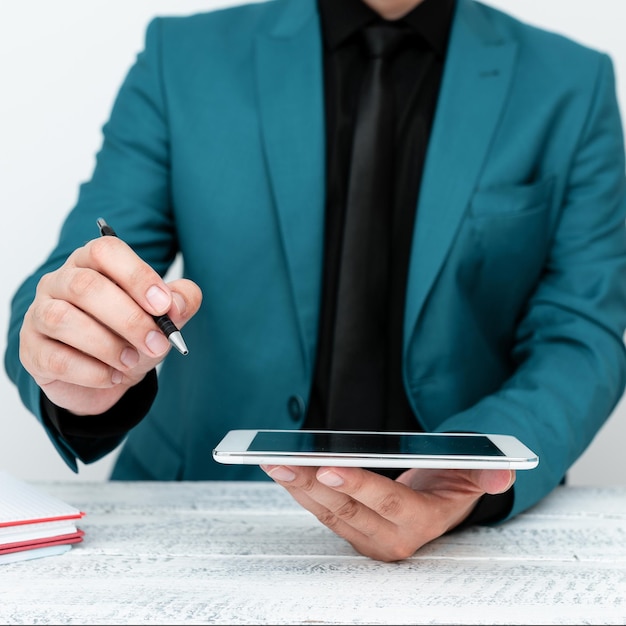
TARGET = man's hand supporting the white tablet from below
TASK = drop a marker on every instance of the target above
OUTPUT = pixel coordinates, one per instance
(387, 519)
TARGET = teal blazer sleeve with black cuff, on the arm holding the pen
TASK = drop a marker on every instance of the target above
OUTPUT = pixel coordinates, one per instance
(130, 185)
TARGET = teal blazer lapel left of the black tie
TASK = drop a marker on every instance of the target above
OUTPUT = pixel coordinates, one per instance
(290, 93)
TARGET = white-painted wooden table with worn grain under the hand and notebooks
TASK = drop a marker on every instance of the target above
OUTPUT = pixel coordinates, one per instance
(245, 553)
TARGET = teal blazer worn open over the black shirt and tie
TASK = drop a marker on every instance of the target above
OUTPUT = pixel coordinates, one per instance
(516, 296)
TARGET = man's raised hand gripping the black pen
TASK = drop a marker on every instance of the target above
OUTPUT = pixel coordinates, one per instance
(89, 333)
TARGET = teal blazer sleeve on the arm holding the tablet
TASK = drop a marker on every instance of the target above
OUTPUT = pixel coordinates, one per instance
(570, 365)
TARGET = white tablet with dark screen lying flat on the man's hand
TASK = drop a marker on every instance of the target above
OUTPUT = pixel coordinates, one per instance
(374, 449)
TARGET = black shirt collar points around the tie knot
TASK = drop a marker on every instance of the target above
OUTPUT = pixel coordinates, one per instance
(430, 19)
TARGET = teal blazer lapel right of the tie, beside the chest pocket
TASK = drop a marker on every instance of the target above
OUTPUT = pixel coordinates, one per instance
(476, 80)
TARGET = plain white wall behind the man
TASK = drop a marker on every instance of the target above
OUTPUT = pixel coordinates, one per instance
(61, 63)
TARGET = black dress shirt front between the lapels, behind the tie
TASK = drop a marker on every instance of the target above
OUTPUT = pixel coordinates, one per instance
(417, 71)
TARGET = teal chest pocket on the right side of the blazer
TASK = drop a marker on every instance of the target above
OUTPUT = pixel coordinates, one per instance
(509, 200)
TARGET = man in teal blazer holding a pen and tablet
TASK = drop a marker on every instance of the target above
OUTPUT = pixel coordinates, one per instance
(231, 142)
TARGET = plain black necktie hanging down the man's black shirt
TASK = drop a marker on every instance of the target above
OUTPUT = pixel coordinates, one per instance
(358, 371)
